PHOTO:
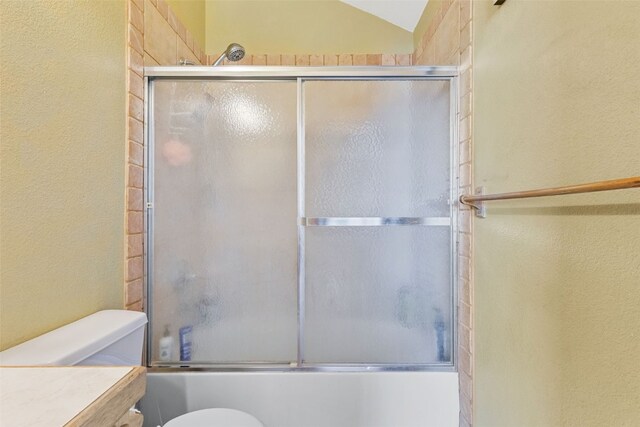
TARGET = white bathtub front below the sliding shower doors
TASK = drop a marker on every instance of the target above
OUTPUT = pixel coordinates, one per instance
(309, 399)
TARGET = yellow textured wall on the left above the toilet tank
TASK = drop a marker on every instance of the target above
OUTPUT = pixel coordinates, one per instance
(62, 103)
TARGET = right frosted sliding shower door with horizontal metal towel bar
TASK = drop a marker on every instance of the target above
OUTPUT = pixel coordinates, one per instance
(377, 191)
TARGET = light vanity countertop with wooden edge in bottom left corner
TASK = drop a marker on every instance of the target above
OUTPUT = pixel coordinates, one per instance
(68, 396)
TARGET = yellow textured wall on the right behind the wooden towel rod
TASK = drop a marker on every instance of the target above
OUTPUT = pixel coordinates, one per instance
(557, 291)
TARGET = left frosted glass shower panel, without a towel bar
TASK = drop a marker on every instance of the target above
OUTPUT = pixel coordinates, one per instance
(224, 239)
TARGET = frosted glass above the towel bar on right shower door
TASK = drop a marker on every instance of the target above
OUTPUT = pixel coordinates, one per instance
(377, 148)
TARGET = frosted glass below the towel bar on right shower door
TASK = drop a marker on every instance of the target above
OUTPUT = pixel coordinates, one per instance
(378, 295)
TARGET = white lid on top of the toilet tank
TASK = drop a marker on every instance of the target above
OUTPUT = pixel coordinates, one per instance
(72, 343)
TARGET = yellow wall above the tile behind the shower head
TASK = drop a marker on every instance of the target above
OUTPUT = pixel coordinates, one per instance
(310, 26)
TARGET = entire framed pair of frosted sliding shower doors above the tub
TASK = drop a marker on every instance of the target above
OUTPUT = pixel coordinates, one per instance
(301, 218)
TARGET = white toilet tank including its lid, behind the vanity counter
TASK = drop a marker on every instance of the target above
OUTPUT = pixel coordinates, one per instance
(109, 337)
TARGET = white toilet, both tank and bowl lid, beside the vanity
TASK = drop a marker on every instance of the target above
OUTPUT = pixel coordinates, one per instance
(111, 338)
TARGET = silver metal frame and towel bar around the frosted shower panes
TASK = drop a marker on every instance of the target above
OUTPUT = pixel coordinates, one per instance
(299, 75)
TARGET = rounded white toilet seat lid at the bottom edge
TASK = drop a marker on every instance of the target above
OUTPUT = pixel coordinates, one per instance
(215, 417)
